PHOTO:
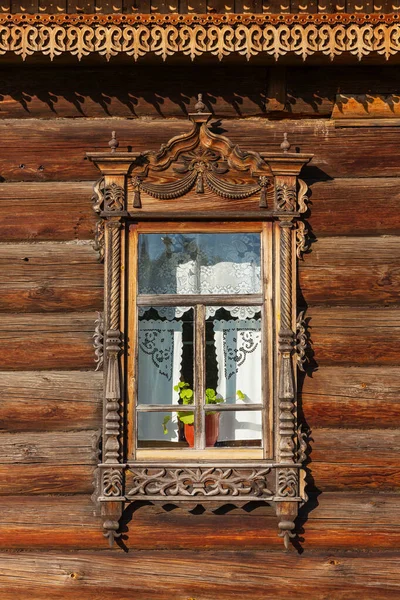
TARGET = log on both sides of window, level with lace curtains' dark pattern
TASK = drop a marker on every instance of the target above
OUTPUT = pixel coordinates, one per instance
(349, 336)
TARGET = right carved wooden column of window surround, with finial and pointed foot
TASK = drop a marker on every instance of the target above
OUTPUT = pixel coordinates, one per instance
(288, 205)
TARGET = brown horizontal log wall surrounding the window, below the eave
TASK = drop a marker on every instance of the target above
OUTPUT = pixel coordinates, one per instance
(51, 544)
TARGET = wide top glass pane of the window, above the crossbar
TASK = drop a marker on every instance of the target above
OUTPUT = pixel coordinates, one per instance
(199, 263)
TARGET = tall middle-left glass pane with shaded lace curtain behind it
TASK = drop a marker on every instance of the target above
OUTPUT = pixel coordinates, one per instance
(165, 353)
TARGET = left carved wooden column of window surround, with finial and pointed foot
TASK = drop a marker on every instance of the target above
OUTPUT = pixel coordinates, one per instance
(110, 204)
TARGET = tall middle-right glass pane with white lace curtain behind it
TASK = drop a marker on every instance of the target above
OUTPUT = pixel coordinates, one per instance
(233, 354)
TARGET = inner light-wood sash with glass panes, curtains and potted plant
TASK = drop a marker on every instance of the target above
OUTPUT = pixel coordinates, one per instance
(199, 318)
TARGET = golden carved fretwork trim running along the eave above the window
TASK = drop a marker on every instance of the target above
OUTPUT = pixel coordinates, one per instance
(248, 35)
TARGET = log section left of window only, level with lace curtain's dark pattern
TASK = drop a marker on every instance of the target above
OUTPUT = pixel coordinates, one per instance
(47, 341)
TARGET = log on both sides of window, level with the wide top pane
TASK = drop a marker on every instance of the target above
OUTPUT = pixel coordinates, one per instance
(66, 276)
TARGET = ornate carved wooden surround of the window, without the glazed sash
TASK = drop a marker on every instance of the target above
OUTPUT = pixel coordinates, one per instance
(137, 187)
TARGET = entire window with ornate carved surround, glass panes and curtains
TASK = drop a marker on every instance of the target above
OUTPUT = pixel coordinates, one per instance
(200, 241)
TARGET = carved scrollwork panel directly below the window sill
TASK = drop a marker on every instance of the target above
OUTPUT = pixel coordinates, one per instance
(199, 481)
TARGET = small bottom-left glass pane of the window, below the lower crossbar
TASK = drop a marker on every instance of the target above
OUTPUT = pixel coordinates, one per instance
(160, 430)
